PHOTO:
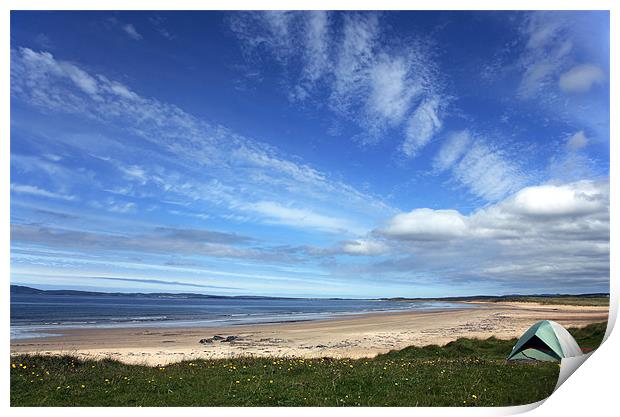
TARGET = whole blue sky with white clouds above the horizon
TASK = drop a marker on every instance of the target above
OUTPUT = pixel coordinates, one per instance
(311, 153)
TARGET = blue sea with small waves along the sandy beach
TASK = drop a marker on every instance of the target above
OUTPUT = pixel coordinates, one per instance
(30, 314)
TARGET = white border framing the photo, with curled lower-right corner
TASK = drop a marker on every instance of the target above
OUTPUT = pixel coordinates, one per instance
(591, 392)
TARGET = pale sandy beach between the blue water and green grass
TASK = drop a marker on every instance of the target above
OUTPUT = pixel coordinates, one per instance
(350, 336)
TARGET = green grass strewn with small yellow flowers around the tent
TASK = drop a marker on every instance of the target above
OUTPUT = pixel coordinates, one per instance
(465, 372)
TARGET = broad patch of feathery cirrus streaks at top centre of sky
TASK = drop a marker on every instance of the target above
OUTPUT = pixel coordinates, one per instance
(350, 62)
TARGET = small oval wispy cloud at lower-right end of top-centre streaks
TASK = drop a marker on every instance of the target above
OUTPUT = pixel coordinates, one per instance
(422, 126)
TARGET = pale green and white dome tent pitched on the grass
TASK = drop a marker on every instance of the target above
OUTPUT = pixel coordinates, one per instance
(545, 341)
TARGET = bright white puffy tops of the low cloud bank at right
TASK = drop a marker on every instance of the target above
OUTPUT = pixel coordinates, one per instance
(536, 212)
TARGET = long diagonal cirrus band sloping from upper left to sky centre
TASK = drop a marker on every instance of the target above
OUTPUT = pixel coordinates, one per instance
(223, 162)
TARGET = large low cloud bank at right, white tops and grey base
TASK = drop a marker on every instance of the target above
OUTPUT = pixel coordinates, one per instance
(546, 237)
